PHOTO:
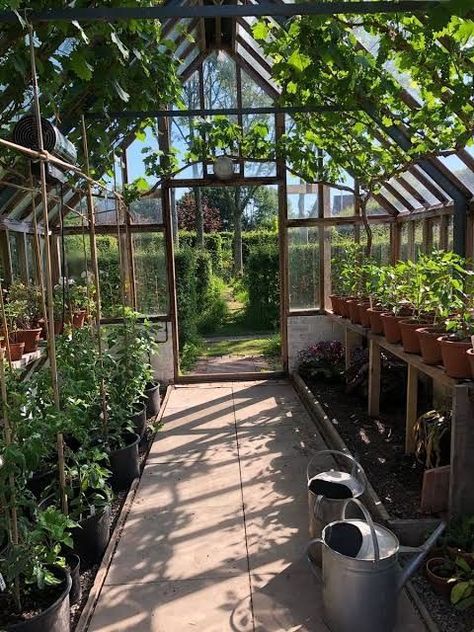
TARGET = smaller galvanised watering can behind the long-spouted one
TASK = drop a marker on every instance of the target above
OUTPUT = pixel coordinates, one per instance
(329, 487)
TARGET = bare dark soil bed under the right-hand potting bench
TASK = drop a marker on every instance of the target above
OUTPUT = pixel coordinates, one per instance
(378, 444)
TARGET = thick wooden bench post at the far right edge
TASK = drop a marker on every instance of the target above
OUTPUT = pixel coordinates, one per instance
(461, 488)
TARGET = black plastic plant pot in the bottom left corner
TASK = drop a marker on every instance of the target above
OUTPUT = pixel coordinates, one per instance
(56, 618)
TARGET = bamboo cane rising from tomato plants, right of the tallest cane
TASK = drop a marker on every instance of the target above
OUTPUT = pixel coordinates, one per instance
(95, 270)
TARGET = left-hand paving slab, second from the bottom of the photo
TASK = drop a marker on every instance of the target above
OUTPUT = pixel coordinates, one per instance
(189, 544)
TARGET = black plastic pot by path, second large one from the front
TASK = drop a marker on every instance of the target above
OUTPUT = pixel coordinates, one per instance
(91, 538)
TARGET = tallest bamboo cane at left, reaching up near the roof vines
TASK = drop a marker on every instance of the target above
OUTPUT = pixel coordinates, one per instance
(49, 282)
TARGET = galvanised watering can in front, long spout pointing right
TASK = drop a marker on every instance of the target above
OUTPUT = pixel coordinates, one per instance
(361, 576)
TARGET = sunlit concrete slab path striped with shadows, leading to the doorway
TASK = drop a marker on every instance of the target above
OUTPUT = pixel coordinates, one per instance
(215, 540)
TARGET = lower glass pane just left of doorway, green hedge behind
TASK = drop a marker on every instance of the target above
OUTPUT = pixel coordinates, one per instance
(149, 257)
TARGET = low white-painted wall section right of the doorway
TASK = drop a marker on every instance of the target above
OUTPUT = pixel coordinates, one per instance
(306, 330)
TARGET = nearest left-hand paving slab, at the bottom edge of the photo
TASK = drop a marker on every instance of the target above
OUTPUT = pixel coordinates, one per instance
(204, 605)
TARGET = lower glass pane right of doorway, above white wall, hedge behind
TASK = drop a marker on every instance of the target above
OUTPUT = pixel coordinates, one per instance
(303, 268)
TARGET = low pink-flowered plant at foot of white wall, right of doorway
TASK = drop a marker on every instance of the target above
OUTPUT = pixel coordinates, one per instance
(322, 360)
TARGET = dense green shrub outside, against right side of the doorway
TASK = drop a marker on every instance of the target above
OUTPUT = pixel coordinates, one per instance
(262, 280)
